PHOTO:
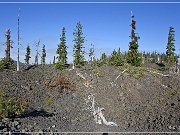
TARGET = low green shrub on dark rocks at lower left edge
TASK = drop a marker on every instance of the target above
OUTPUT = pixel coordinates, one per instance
(9, 107)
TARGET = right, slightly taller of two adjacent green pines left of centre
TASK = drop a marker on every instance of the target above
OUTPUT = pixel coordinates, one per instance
(79, 40)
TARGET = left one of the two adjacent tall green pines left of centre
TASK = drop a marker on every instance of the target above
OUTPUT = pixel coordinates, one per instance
(62, 51)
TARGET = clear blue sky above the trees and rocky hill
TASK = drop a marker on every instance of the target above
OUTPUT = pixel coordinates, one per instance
(105, 25)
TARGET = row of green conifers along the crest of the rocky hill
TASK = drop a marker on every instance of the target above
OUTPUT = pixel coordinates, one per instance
(117, 58)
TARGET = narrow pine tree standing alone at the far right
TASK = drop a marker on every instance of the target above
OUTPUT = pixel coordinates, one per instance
(170, 47)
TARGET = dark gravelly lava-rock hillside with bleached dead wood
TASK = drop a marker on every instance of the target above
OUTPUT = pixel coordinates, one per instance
(134, 99)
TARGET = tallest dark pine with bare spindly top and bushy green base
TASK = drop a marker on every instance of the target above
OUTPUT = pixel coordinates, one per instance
(133, 56)
